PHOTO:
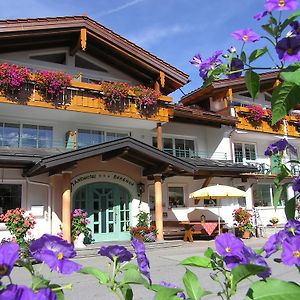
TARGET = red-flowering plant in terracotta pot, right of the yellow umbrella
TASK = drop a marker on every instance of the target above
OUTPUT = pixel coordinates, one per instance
(243, 221)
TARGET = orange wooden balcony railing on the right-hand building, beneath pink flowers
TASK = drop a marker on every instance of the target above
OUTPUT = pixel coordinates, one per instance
(244, 124)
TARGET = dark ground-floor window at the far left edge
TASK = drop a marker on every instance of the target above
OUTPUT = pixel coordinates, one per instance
(10, 196)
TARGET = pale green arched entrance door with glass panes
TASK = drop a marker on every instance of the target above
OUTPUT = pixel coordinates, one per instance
(108, 208)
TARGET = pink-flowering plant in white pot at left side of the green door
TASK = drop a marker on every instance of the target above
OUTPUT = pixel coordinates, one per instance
(79, 229)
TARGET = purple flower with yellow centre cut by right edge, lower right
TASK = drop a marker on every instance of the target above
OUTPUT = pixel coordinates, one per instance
(291, 251)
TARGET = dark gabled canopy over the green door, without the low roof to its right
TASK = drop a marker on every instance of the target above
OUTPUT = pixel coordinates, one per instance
(152, 160)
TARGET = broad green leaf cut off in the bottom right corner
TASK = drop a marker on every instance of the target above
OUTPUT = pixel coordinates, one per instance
(274, 289)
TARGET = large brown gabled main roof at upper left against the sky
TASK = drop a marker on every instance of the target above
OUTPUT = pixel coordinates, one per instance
(18, 33)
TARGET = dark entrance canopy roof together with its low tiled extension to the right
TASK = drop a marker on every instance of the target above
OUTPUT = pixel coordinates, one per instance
(152, 160)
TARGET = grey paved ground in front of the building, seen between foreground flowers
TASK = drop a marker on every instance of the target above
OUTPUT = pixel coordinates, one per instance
(164, 266)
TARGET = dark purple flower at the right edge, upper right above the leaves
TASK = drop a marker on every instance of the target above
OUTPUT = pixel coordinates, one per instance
(288, 49)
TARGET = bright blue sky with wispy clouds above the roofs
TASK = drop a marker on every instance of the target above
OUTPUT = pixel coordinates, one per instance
(174, 30)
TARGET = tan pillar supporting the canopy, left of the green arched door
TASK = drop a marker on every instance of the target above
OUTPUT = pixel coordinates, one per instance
(66, 205)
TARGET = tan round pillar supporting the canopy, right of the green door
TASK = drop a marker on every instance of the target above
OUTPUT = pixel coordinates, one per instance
(158, 206)
